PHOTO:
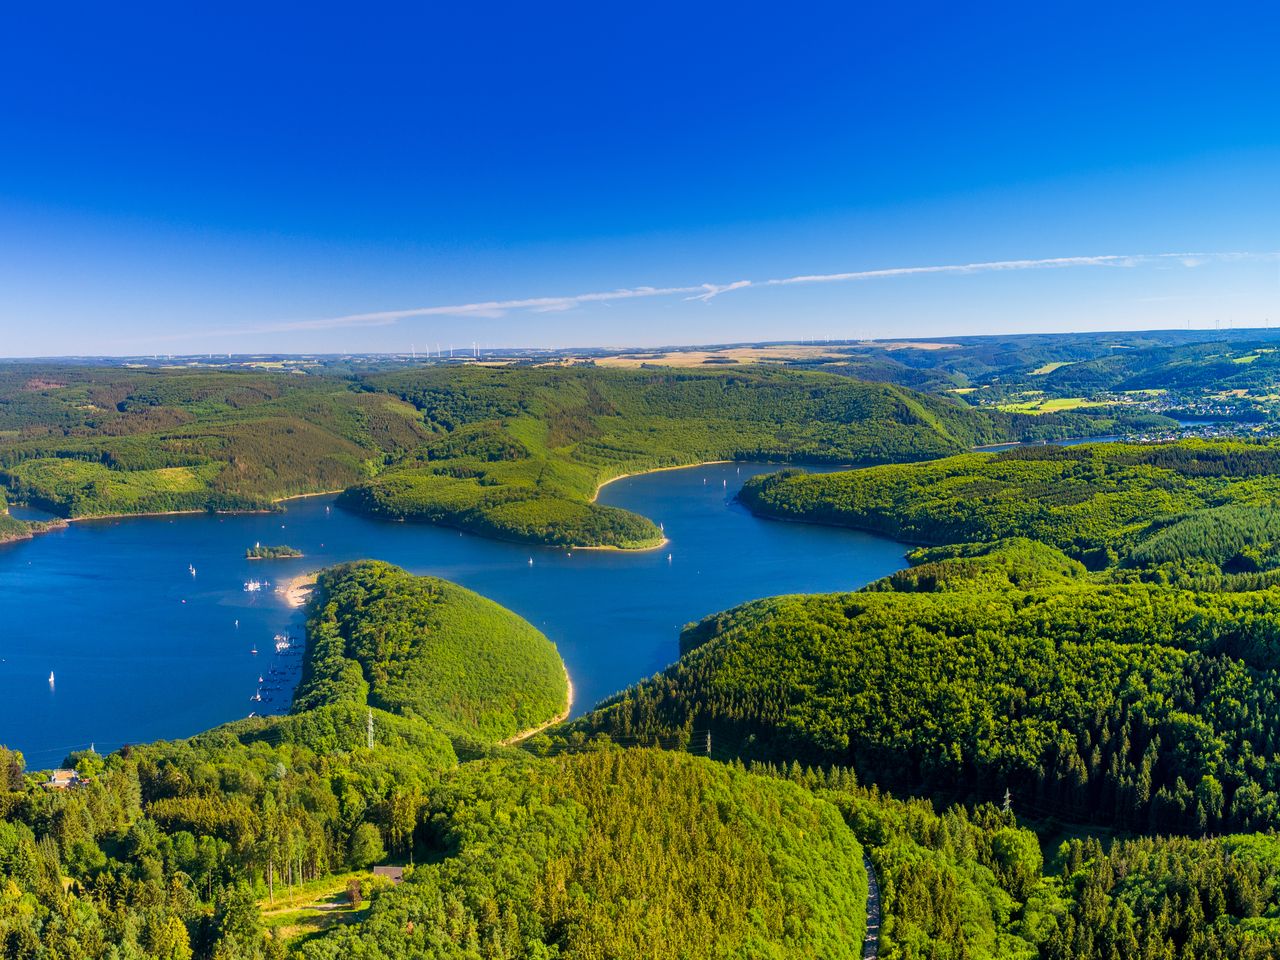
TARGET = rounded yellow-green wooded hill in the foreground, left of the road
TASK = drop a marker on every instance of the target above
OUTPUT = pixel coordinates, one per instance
(614, 854)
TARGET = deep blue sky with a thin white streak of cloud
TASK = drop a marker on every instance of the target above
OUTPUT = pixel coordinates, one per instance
(337, 179)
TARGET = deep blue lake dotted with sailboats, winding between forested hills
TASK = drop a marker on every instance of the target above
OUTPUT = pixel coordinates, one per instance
(143, 650)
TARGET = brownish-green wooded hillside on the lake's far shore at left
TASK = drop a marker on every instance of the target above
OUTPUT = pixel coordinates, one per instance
(85, 441)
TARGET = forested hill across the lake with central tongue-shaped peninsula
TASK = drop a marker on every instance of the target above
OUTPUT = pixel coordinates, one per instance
(520, 454)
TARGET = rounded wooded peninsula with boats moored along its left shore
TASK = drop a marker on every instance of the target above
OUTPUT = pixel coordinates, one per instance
(428, 648)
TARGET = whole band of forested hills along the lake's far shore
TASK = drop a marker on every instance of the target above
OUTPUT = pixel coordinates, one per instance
(513, 452)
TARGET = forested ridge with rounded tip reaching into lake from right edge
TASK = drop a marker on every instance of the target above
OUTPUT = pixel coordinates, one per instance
(1187, 511)
